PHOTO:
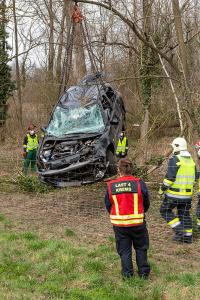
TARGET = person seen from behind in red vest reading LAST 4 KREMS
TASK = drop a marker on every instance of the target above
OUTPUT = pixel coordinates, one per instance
(127, 200)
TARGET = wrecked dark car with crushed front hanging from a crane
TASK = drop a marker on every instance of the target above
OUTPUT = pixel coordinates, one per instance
(79, 142)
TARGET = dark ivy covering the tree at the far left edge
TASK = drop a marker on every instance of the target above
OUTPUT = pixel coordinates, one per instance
(6, 84)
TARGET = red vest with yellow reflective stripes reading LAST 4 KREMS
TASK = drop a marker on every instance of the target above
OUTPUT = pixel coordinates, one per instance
(126, 202)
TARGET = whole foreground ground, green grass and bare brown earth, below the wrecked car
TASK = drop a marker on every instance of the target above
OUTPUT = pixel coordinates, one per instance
(58, 244)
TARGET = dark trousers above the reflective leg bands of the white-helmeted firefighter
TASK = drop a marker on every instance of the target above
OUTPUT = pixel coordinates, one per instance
(183, 207)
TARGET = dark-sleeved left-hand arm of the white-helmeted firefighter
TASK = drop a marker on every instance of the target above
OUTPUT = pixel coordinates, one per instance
(170, 176)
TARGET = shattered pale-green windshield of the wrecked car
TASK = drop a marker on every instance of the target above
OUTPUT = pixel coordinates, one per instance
(76, 119)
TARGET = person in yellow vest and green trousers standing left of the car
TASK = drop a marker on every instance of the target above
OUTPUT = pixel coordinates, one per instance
(30, 149)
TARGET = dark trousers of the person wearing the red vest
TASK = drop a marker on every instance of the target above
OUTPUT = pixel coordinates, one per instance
(136, 236)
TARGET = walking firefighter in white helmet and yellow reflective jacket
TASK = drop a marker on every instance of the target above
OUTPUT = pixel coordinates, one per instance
(177, 189)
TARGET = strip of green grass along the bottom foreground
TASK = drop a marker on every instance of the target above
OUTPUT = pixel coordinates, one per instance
(32, 267)
